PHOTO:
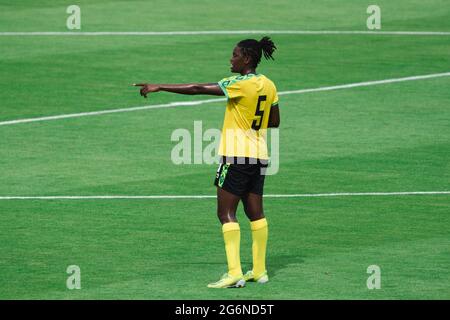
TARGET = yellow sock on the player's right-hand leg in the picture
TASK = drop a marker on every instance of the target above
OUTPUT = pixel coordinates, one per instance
(260, 234)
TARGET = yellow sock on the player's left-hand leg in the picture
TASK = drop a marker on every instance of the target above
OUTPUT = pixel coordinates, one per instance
(232, 237)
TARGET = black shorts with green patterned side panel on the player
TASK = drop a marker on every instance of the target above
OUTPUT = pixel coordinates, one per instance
(241, 177)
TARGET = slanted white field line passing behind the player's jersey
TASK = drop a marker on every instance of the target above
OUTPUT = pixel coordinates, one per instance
(199, 102)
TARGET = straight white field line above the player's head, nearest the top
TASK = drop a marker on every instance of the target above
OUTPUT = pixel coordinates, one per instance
(227, 32)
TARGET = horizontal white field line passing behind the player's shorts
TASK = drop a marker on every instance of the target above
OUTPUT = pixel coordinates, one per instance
(312, 195)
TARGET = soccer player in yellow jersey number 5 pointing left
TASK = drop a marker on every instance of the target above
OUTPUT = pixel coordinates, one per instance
(252, 107)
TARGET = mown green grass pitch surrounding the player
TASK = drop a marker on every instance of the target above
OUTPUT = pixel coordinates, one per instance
(384, 138)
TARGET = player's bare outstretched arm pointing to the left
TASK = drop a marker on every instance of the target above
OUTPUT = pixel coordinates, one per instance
(190, 88)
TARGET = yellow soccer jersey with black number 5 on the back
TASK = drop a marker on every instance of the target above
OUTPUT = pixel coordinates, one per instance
(250, 98)
